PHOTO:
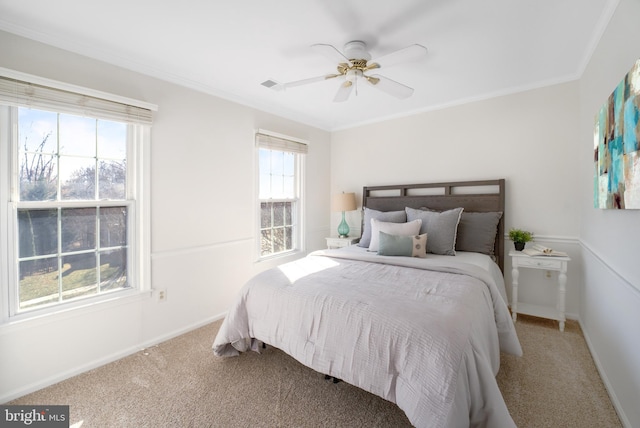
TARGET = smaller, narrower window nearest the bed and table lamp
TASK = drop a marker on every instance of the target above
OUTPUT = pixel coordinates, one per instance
(280, 166)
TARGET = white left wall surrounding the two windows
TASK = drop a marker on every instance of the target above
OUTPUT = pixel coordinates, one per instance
(202, 220)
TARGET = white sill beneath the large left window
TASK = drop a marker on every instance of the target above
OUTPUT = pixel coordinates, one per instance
(36, 318)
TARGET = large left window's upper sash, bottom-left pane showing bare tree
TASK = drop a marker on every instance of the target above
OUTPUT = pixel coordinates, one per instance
(38, 177)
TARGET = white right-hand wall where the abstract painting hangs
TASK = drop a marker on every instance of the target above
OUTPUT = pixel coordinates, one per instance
(610, 299)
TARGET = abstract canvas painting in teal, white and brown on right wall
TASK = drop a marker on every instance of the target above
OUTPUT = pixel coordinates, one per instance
(616, 146)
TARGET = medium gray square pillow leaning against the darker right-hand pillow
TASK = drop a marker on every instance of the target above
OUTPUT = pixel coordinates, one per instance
(440, 227)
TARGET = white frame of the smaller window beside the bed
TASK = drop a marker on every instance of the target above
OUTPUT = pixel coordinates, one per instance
(298, 214)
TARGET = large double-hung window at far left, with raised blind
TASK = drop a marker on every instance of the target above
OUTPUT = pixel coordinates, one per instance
(72, 192)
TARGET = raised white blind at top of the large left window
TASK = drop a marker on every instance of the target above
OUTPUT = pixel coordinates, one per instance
(21, 93)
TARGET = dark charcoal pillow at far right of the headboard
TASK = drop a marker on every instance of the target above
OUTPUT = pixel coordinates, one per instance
(477, 232)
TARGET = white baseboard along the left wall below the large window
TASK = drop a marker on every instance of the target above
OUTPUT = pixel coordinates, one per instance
(36, 386)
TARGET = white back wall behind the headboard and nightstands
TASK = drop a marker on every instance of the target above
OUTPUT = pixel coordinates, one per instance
(526, 138)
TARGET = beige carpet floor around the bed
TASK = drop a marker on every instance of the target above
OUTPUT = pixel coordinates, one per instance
(180, 383)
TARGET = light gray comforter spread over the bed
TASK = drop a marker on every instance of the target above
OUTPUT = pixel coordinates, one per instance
(425, 334)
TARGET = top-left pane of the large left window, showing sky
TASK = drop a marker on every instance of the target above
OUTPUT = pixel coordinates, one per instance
(37, 130)
